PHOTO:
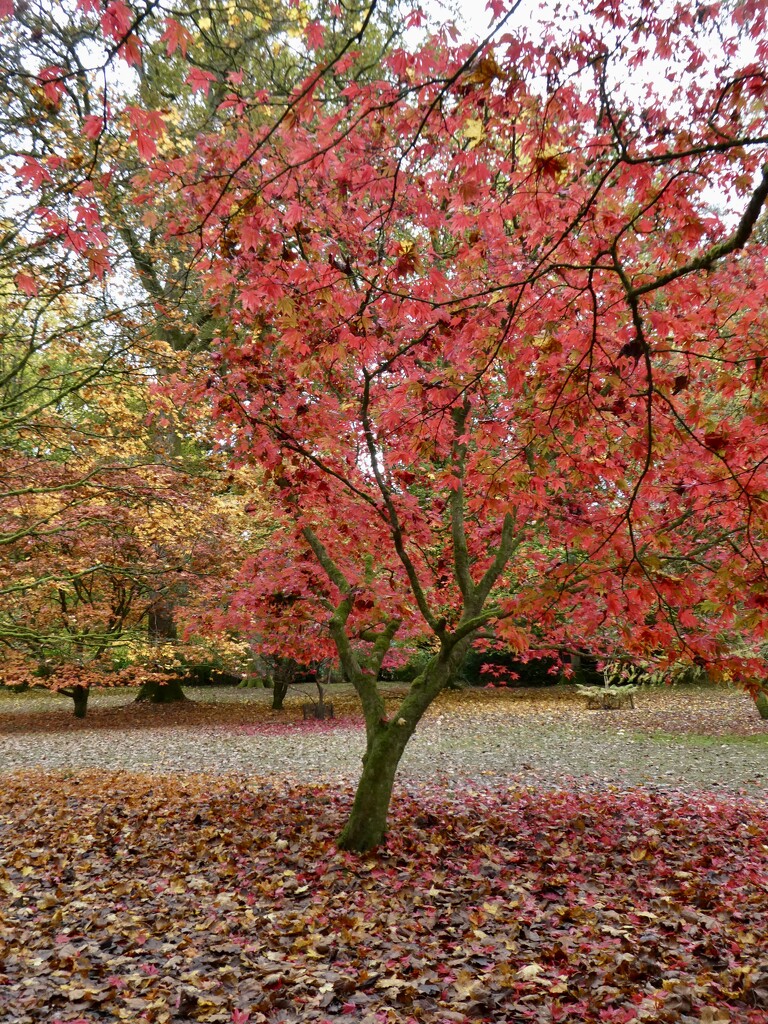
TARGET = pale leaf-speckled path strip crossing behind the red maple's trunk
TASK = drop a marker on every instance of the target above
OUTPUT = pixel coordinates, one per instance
(476, 738)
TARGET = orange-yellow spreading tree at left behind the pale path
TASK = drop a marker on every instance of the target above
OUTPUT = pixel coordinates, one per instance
(100, 533)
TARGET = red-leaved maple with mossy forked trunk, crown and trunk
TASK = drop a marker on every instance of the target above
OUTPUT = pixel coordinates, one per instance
(496, 329)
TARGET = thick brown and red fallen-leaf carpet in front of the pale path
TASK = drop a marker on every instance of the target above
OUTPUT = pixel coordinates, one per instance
(130, 898)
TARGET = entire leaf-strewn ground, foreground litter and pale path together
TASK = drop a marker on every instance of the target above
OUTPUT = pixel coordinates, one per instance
(545, 864)
